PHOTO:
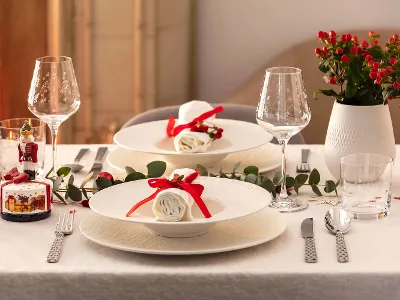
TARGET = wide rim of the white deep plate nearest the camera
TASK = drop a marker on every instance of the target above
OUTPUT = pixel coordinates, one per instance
(186, 223)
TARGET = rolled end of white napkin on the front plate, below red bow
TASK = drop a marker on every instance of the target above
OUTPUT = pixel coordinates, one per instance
(173, 205)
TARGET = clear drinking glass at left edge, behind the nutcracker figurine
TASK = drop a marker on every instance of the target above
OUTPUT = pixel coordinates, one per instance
(9, 140)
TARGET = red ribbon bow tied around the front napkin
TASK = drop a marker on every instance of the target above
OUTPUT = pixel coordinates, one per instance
(195, 190)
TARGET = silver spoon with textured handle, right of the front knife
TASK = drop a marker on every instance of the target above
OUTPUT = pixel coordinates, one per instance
(338, 222)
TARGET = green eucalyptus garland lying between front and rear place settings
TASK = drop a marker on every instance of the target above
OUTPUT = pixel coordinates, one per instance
(157, 169)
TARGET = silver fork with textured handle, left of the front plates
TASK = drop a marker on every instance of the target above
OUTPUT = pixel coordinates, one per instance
(64, 227)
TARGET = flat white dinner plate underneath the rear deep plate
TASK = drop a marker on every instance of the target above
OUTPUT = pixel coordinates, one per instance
(266, 158)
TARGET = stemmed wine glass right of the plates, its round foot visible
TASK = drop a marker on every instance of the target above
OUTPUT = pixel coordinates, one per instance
(283, 111)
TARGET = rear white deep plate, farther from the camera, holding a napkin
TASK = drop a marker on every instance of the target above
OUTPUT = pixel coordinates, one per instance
(151, 138)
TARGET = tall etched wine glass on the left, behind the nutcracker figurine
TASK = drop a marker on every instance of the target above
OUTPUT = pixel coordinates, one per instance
(53, 95)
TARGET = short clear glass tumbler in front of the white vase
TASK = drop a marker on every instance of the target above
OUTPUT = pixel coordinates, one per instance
(366, 182)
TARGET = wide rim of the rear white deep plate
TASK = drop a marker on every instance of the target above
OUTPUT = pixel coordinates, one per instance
(208, 153)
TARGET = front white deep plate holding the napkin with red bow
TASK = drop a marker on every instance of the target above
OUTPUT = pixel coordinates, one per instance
(226, 200)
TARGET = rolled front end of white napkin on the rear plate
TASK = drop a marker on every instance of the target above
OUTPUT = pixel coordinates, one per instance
(191, 141)
